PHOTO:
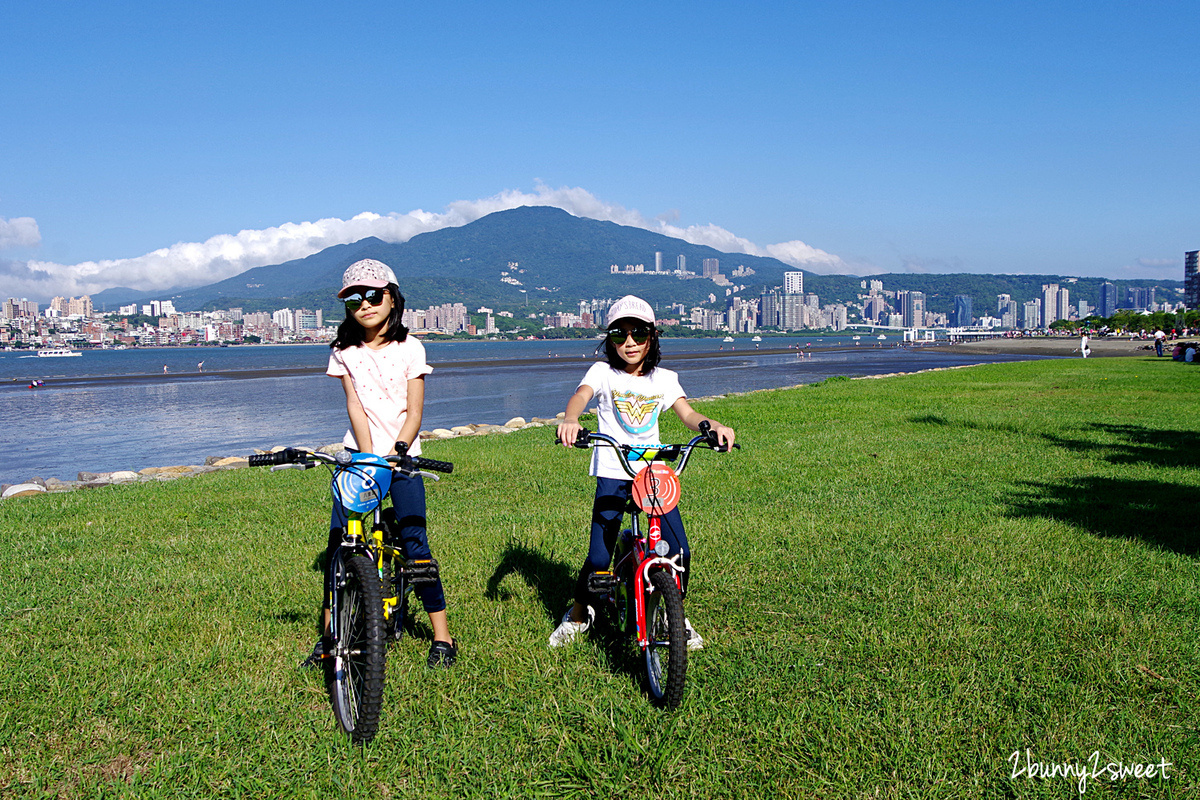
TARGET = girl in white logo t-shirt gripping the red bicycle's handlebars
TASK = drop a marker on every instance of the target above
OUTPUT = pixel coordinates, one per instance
(631, 392)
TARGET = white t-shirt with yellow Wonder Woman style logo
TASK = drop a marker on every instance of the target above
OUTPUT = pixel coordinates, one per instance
(629, 408)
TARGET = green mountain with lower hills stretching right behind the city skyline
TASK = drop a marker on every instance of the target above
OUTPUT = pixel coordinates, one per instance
(561, 260)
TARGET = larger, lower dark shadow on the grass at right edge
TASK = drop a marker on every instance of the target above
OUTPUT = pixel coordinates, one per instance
(1161, 515)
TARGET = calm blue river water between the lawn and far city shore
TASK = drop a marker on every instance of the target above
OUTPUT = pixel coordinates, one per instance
(119, 410)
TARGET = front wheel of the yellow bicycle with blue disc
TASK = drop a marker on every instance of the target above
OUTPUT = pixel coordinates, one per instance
(355, 676)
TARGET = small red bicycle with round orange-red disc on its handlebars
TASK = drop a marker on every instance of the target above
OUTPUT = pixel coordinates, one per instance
(643, 593)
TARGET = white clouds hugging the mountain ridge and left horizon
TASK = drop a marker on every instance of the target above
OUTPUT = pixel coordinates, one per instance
(190, 264)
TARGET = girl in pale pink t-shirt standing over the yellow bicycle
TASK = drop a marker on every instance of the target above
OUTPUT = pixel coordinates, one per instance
(383, 370)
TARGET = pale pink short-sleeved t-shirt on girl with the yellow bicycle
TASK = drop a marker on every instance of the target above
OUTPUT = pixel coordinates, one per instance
(381, 380)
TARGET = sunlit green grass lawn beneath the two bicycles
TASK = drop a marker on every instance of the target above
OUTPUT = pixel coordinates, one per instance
(902, 582)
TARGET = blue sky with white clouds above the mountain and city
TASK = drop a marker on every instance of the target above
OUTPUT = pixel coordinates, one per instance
(159, 146)
